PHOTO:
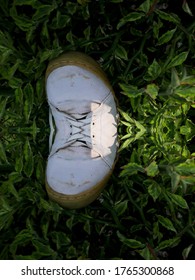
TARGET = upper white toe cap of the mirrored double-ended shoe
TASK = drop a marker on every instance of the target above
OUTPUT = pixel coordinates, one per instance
(76, 84)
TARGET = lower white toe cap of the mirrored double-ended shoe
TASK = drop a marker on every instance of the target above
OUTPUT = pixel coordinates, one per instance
(72, 171)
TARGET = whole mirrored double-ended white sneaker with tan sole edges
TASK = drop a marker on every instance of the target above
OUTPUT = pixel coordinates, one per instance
(83, 121)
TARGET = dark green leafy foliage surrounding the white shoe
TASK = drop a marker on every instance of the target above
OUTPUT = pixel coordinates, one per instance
(147, 209)
